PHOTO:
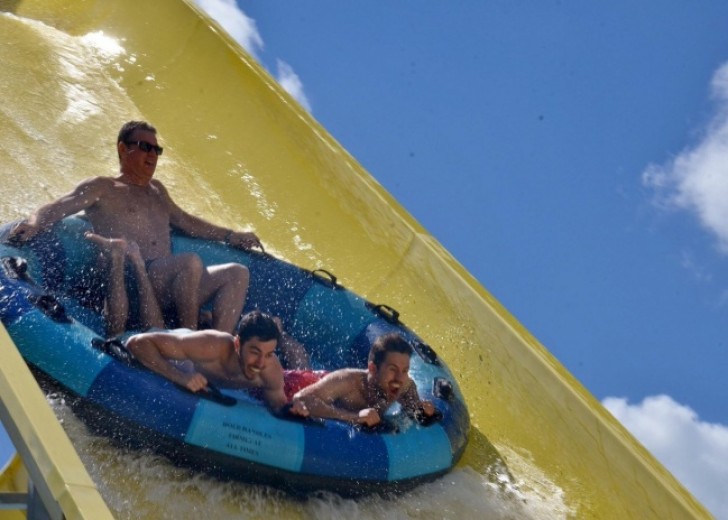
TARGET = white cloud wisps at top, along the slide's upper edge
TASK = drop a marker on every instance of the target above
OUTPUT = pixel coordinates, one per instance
(244, 30)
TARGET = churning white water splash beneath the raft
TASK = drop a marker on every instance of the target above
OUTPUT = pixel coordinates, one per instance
(139, 484)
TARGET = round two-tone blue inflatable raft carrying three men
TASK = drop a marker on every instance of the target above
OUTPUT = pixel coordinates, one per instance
(44, 292)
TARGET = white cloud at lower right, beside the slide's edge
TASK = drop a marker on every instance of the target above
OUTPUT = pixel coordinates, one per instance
(695, 452)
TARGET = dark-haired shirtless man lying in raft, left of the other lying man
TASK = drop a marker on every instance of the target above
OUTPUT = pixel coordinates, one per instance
(246, 360)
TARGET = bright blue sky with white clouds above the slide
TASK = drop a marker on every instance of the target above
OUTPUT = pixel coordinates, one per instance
(572, 156)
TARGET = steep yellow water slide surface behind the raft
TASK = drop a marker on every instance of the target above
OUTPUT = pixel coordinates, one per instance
(241, 152)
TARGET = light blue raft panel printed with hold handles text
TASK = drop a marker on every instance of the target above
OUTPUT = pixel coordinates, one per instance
(248, 431)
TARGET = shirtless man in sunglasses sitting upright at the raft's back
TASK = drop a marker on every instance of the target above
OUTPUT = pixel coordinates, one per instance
(138, 209)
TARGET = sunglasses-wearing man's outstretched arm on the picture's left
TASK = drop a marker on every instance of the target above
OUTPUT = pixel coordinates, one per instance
(83, 196)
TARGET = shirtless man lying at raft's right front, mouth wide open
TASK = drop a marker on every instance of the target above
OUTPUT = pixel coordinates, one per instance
(363, 395)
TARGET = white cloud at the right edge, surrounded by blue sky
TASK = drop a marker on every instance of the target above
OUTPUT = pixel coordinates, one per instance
(697, 179)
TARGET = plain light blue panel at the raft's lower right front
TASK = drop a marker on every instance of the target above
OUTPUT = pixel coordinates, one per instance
(417, 452)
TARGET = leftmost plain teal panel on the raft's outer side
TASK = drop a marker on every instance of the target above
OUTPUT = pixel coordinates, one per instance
(58, 349)
